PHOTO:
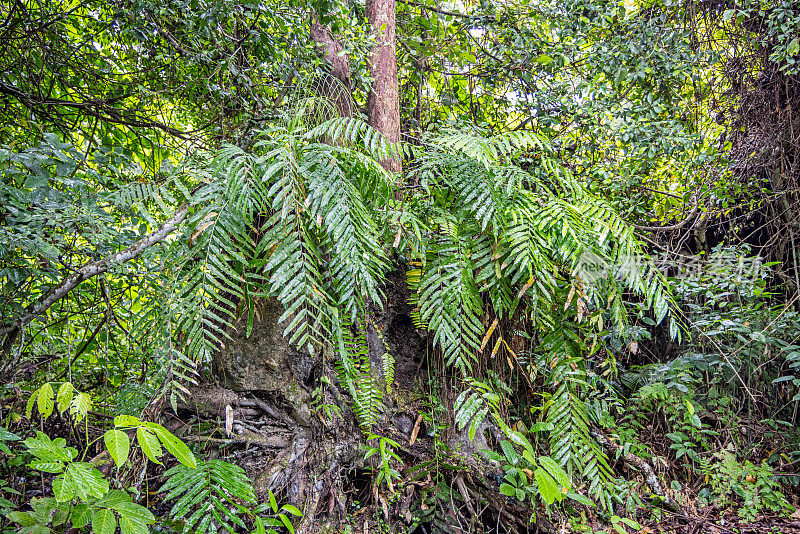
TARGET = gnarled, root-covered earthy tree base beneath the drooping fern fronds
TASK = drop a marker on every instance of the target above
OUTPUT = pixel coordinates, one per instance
(284, 418)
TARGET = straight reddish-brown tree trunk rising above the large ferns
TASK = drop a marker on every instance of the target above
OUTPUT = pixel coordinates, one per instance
(383, 104)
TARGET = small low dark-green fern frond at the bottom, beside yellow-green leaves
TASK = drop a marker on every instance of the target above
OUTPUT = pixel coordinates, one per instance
(214, 495)
